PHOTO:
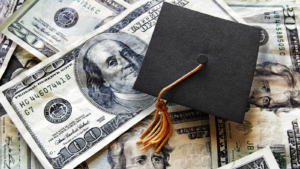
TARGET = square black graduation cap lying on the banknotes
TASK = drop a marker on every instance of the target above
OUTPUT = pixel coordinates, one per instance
(181, 39)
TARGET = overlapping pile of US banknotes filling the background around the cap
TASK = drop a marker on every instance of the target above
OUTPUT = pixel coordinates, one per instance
(67, 68)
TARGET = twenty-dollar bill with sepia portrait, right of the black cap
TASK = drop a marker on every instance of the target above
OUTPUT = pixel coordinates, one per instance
(276, 82)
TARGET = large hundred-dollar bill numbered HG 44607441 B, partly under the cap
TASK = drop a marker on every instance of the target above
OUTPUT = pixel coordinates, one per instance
(73, 104)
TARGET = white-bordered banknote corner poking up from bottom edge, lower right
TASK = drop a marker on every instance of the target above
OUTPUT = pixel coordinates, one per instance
(260, 159)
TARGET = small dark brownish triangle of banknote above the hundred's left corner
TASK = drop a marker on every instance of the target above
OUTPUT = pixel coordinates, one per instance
(20, 61)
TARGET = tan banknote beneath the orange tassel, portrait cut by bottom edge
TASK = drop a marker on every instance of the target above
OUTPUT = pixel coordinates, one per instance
(189, 146)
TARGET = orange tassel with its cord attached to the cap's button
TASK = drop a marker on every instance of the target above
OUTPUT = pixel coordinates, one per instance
(162, 131)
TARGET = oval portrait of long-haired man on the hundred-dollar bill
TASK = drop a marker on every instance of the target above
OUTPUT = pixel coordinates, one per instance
(106, 69)
